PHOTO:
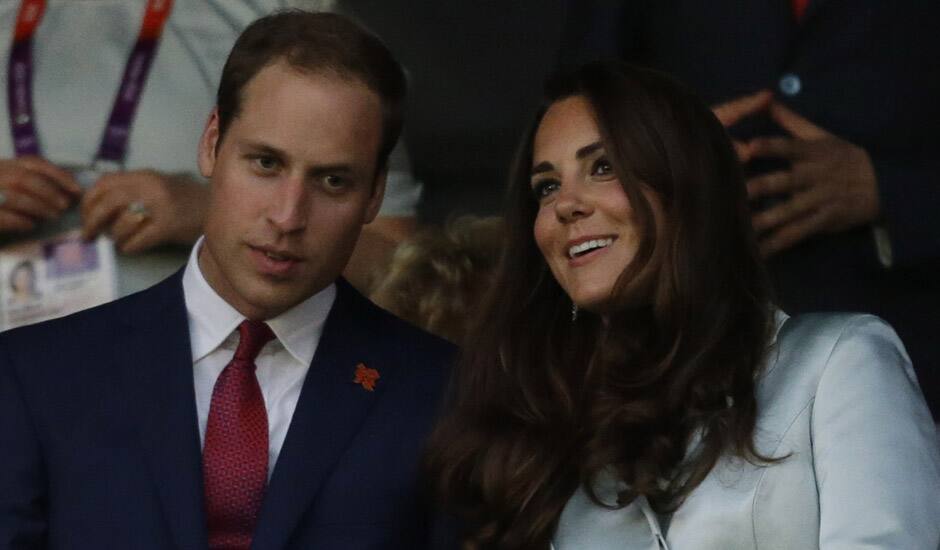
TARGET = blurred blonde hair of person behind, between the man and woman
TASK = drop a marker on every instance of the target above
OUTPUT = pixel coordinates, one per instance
(436, 278)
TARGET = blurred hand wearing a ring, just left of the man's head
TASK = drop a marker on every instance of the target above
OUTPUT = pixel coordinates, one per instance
(142, 209)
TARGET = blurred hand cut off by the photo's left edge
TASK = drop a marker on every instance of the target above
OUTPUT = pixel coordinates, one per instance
(33, 189)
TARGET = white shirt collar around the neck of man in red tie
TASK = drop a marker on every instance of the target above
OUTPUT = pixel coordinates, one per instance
(212, 319)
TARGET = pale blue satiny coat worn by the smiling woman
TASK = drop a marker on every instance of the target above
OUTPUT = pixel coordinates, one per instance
(839, 396)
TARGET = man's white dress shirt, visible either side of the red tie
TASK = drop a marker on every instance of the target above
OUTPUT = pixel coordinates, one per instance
(282, 364)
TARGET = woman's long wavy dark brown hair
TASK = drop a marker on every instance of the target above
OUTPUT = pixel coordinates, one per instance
(542, 404)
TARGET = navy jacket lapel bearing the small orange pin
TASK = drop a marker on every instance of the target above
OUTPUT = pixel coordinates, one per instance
(329, 413)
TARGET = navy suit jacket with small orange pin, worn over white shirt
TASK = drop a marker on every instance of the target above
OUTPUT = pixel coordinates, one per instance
(99, 444)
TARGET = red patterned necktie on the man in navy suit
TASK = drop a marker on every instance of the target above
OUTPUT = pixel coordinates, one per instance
(235, 454)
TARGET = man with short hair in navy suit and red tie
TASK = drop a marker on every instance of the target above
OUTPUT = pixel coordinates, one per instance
(254, 398)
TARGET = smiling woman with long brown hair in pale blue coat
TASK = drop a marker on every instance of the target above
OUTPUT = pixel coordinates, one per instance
(630, 384)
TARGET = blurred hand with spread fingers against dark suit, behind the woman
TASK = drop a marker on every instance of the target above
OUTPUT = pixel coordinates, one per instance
(830, 186)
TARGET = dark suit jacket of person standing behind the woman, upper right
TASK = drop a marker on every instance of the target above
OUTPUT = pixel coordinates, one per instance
(867, 73)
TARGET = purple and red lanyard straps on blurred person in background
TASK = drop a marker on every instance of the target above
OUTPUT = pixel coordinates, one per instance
(113, 146)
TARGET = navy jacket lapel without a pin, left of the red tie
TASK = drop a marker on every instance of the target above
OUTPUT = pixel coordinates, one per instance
(154, 352)
